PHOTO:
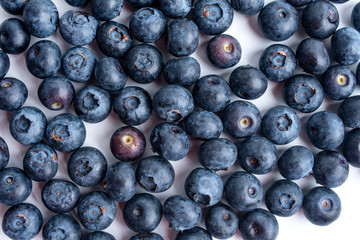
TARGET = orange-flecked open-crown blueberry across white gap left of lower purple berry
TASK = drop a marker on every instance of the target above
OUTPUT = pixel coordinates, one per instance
(65, 132)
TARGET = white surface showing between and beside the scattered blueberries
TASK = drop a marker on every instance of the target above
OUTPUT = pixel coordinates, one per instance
(98, 135)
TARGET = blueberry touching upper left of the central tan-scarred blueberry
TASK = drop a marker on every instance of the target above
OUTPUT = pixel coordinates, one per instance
(212, 93)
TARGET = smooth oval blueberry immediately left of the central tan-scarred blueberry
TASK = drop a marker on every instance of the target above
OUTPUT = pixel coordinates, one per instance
(203, 125)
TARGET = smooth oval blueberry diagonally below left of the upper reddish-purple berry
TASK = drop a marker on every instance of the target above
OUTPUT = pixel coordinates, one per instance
(183, 71)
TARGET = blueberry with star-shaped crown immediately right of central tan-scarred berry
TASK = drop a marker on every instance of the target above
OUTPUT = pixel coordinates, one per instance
(281, 125)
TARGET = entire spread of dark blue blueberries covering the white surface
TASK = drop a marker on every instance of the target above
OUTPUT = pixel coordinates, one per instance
(202, 114)
